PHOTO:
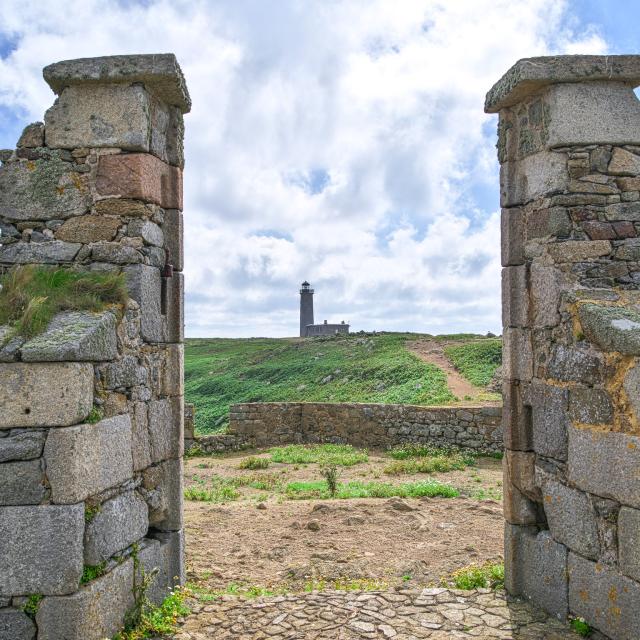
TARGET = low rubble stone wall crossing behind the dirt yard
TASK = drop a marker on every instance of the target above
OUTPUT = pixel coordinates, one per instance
(377, 426)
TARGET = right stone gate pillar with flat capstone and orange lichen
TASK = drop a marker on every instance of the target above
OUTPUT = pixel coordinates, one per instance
(569, 150)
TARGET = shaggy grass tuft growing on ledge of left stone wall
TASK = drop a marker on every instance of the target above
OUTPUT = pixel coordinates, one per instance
(31, 295)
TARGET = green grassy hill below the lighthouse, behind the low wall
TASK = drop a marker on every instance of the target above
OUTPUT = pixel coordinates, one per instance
(354, 368)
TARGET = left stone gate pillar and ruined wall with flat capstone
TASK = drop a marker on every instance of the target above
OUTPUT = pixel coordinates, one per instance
(91, 438)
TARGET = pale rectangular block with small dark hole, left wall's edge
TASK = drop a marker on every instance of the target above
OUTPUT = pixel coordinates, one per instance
(41, 395)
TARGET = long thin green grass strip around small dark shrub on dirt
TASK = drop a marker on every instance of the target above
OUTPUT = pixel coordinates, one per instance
(357, 489)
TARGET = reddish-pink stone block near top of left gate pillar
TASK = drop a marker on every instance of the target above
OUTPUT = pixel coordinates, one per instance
(140, 176)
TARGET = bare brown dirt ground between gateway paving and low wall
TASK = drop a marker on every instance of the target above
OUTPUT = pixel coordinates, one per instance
(267, 540)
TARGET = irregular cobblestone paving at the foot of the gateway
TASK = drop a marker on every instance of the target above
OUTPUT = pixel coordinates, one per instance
(404, 615)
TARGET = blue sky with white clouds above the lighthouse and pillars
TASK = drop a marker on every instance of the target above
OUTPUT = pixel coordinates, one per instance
(339, 141)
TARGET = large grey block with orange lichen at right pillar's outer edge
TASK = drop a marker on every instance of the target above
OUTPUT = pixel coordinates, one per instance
(605, 464)
